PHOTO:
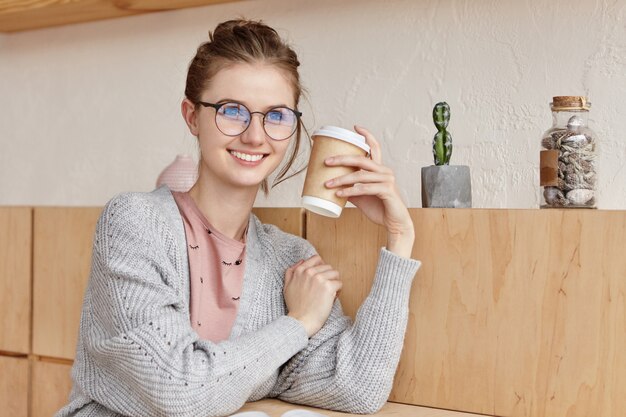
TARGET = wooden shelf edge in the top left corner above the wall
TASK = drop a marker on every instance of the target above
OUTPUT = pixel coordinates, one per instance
(16, 15)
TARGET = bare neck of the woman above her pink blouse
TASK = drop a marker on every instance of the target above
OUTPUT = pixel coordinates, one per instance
(226, 208)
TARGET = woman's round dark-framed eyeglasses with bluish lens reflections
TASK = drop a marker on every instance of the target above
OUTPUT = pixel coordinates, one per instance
(232, 119)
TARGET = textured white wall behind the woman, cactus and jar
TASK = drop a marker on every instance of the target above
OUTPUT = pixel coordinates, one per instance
(90, 110)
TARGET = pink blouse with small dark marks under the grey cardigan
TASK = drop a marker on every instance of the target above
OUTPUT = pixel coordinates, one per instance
(216, 266)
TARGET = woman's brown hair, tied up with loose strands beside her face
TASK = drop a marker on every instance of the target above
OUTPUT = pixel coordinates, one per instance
(247, 41)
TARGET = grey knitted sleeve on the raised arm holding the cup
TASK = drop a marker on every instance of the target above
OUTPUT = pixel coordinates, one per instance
(350, 366)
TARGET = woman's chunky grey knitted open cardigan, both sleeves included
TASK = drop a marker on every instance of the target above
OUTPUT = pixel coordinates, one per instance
(137, 354)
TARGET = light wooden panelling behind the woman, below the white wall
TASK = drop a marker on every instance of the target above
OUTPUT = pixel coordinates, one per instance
(514, 313)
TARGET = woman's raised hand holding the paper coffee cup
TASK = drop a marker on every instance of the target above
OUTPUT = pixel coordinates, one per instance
(372, 188)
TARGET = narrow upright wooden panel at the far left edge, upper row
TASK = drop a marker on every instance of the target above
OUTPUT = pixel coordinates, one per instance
(15, 278)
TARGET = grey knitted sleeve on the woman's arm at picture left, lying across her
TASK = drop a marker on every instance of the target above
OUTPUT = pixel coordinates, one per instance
(137, 353)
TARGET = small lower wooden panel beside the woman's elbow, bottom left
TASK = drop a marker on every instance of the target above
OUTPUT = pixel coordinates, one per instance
(51, 386)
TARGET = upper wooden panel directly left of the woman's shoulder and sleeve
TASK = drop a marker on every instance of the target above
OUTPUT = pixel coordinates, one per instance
(62, 259)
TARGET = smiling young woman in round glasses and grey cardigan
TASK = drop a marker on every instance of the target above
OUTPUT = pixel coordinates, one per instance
(194, 307)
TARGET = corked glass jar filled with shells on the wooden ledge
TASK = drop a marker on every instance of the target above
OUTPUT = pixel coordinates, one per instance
(568, 156)
